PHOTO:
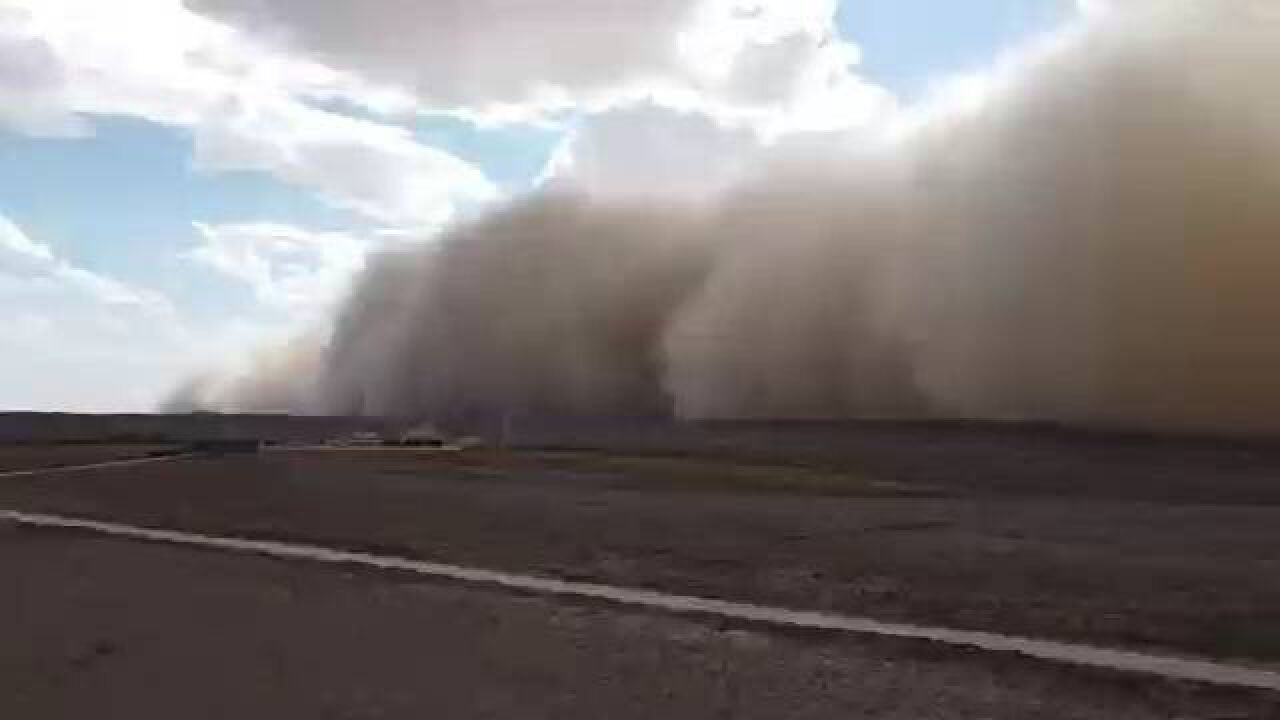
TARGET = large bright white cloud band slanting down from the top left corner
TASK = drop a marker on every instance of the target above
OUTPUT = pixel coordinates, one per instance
(248, 108)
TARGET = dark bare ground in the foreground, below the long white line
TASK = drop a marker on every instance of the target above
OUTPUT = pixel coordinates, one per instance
(108, 628)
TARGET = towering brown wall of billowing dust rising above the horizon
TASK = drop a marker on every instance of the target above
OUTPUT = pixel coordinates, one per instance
(1094, 239)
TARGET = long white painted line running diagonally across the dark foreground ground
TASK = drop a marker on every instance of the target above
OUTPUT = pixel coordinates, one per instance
(1126, 662)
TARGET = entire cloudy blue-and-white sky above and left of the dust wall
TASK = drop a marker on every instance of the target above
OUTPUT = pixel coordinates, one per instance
(185, 181)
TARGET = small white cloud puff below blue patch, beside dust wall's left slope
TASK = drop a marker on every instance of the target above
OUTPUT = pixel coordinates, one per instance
(287, 268)
